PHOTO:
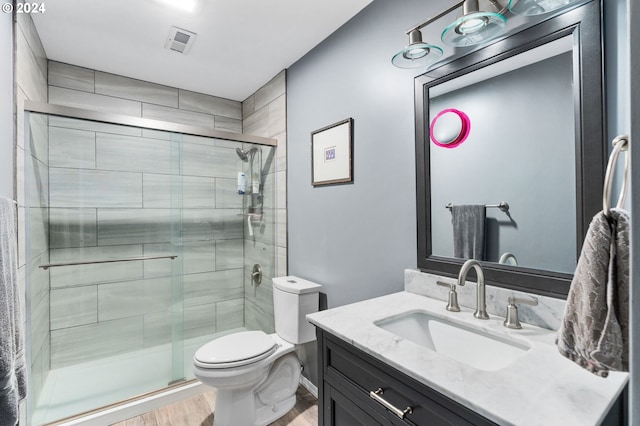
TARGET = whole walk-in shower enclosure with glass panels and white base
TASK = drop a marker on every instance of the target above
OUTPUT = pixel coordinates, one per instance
(140, 247)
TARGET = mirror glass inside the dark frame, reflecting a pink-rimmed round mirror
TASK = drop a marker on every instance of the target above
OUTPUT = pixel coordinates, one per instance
(502, 161)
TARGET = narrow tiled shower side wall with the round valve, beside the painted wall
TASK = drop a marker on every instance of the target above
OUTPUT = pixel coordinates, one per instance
(264, 114)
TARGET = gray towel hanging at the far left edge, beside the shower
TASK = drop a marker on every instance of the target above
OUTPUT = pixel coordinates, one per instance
(13, 384)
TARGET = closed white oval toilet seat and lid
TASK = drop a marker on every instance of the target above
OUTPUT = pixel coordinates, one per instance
(235, 350)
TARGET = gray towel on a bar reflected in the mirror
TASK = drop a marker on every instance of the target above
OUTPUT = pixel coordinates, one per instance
(468, 231)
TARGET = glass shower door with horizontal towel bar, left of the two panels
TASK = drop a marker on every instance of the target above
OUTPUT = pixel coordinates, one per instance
(105, 263)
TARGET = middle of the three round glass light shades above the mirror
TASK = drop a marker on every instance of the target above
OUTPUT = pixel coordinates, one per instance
(474, 28)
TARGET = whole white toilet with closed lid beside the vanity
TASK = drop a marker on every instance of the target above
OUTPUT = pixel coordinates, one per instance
(256, 374)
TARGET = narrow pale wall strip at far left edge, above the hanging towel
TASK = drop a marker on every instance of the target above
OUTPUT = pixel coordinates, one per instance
(6, 106)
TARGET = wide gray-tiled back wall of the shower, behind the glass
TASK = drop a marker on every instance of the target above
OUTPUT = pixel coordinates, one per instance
(128, 305)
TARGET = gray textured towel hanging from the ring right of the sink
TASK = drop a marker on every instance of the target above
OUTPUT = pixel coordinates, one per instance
(595, 329)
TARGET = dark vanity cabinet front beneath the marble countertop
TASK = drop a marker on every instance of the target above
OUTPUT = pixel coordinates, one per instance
(348, 376)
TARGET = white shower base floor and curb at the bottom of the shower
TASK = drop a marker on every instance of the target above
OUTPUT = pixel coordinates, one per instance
(85, 387)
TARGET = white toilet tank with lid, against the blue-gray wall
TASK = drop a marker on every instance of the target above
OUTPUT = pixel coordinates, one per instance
(293, 299)
